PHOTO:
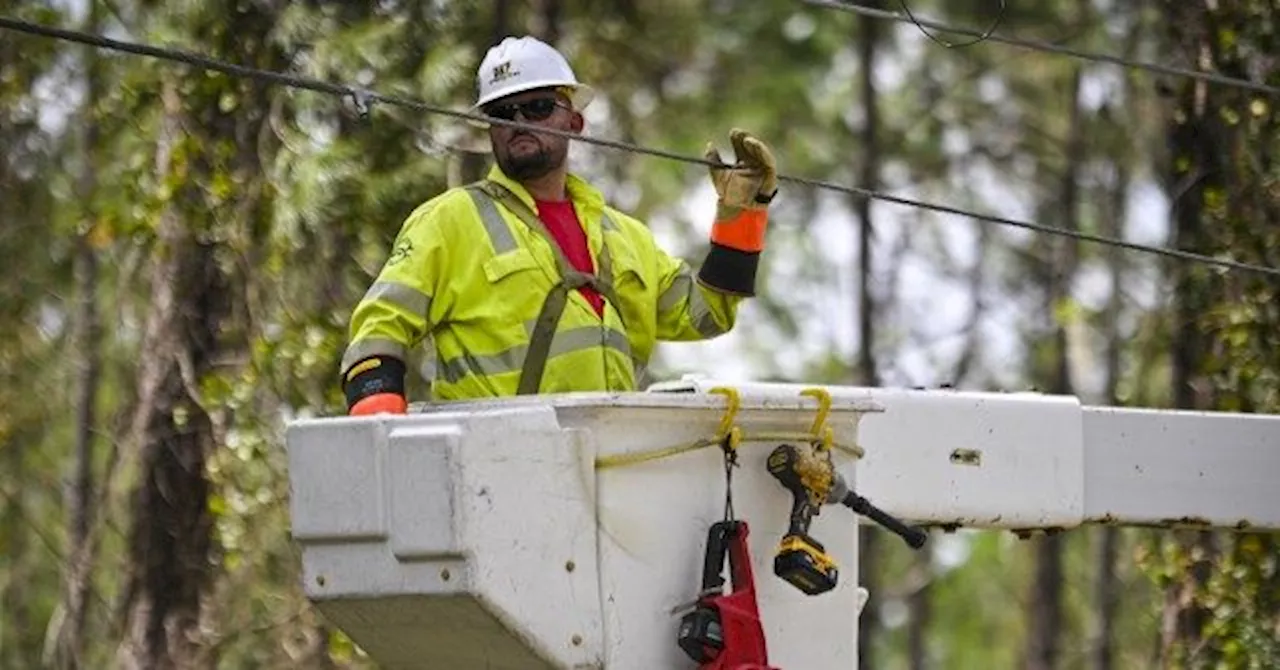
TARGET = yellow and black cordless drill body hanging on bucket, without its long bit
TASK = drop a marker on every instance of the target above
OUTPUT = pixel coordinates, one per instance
(802, 560)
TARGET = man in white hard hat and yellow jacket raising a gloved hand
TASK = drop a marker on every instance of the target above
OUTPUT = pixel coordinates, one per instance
(528, 281)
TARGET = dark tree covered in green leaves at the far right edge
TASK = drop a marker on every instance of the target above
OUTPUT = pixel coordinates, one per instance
(1236, 323)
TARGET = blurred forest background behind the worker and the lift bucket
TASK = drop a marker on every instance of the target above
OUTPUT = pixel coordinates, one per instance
(182, 250)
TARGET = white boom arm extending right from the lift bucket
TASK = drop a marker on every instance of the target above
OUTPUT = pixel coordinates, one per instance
(1031, 461)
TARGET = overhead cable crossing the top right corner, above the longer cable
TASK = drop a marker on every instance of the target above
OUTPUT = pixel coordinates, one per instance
(1046, 47)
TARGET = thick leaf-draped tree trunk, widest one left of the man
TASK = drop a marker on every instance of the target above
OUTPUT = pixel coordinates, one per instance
(196, 325)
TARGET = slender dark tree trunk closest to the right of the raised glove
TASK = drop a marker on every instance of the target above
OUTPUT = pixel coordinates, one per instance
(868, 540)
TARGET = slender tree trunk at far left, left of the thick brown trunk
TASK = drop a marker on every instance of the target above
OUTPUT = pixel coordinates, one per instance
(80, 499)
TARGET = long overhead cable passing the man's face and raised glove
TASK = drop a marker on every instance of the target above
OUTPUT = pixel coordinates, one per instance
(363, 99)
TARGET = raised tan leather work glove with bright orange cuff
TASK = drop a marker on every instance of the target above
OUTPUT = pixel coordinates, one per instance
(746, 190)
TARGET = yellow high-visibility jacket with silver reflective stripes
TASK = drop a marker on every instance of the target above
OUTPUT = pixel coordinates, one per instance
(472, 270)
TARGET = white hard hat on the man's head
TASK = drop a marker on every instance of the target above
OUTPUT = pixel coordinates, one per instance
(525, 63)
